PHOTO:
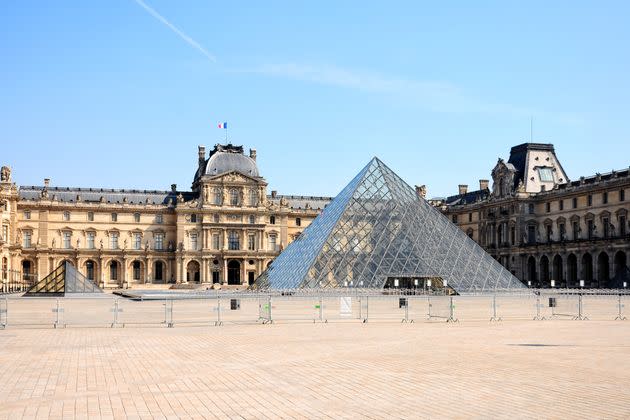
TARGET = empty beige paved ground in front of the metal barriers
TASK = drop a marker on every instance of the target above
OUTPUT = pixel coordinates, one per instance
(550, 369)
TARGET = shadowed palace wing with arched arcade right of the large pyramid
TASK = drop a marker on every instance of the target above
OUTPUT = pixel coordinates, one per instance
(545, 228)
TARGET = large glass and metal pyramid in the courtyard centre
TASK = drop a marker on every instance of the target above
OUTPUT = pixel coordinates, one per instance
(377, 229)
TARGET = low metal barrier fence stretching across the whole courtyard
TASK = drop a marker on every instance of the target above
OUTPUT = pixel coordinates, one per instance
(252, 308)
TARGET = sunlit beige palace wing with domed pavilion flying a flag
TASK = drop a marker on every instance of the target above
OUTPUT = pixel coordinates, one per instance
(224, 231)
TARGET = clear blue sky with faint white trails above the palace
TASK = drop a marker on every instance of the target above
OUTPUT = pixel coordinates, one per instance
(119, 93)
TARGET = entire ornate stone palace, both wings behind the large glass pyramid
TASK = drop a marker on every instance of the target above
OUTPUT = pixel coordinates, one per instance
(542, 226)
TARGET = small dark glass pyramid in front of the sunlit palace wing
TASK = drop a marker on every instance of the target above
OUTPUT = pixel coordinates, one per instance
(61, 281)
